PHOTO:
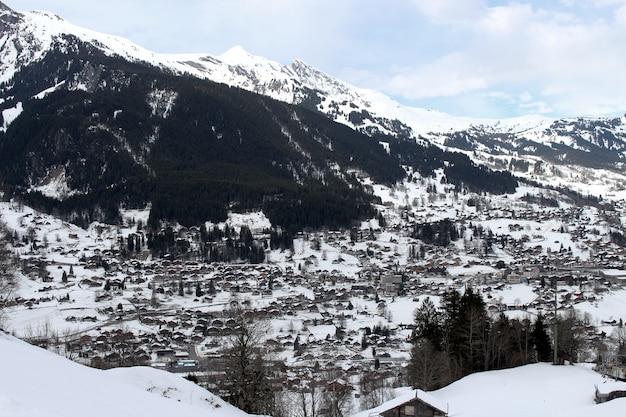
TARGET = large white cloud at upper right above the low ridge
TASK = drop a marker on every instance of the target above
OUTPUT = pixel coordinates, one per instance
(573, 62)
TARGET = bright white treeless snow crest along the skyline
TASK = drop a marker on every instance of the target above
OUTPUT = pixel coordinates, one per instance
(263, 70)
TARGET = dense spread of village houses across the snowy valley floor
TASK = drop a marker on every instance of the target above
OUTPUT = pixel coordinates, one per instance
(171, 308)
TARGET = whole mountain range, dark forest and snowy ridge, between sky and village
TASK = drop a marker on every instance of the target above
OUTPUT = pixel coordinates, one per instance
(91, 122)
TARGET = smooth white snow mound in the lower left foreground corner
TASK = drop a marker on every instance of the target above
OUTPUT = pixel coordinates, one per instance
(37, 383)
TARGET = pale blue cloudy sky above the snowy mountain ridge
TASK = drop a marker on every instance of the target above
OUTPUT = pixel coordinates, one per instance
(477, 58)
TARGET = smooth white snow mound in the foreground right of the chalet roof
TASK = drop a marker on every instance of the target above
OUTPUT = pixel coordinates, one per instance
(533, 390)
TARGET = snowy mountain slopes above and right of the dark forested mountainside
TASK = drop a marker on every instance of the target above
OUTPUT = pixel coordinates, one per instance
(552, 152)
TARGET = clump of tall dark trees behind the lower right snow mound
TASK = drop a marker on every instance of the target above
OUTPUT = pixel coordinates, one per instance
(460, 337)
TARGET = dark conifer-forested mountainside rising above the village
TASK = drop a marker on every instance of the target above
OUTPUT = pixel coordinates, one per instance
(111, 132)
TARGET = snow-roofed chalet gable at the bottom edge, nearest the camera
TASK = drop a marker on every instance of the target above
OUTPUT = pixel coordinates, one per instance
(416, 403)
